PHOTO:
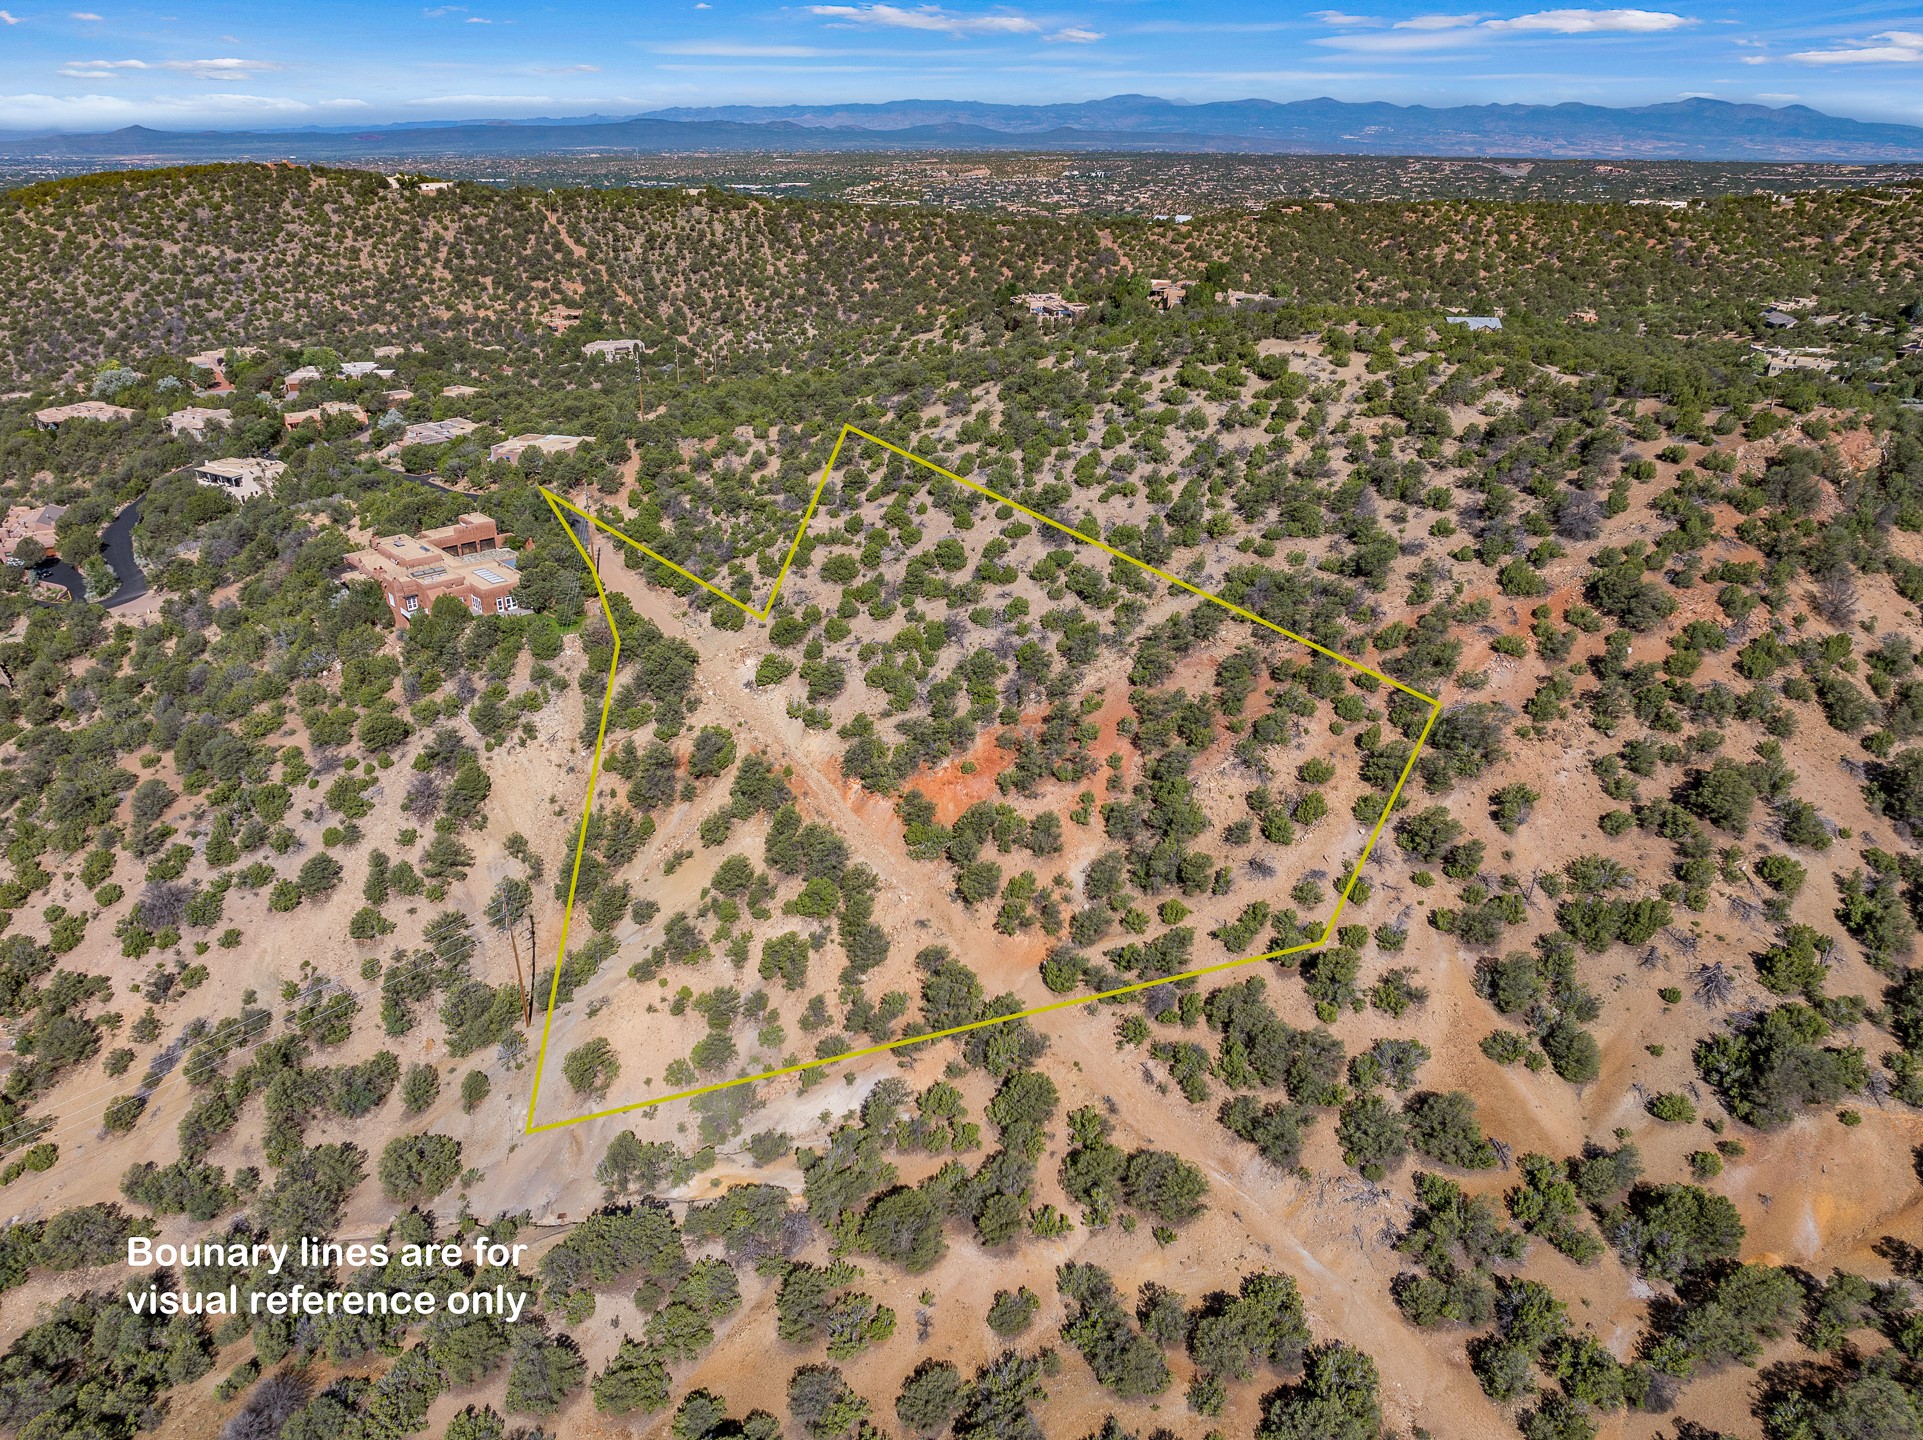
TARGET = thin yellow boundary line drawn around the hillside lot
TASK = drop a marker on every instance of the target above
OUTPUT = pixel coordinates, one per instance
(559, 507)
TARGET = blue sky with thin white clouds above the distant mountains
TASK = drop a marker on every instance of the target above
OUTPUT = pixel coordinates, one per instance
(245, 64)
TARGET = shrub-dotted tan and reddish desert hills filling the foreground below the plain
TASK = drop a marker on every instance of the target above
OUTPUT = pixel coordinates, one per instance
(1451, 787)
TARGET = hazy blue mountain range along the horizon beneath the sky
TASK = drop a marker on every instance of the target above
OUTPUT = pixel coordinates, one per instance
(1684, 130)
